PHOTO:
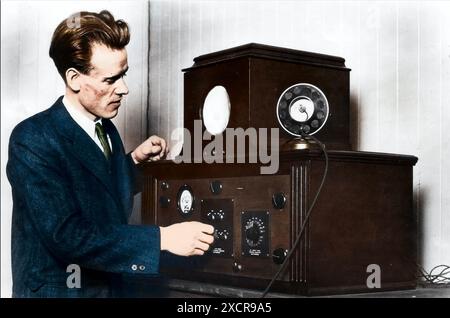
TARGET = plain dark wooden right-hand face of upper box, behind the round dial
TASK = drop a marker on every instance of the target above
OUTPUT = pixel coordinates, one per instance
(273, 77)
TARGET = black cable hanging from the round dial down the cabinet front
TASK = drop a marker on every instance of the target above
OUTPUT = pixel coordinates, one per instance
(300, 234)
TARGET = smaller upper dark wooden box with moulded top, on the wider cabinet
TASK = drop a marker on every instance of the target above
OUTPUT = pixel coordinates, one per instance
(255, 76)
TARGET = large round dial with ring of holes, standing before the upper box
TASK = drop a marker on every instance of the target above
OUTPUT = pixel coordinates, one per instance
(302, 109)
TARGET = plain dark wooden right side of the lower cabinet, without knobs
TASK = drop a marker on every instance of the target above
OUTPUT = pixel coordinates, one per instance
(366, 219)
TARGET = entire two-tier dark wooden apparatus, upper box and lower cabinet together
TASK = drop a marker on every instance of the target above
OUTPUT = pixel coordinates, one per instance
(363, 223)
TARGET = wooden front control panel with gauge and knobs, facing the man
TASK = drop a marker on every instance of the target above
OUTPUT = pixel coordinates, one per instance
(248, 194)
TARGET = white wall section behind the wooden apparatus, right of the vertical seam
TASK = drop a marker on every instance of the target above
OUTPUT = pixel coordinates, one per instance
(399, 53)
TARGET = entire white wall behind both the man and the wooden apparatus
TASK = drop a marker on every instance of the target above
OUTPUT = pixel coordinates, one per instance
(399, 53)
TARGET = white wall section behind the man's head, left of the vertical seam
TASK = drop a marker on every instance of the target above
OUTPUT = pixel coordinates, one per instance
(30, 82)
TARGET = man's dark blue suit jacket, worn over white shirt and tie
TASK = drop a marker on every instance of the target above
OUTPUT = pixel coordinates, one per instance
(71, 206)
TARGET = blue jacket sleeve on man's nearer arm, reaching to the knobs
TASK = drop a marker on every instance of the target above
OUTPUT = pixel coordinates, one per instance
(42, 195)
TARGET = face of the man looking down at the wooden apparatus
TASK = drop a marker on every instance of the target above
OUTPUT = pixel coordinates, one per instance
(101, 90)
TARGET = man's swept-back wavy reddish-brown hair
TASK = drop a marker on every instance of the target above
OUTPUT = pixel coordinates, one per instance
(74, 37)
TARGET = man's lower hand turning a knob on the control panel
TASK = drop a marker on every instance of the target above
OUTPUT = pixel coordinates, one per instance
(187, 238)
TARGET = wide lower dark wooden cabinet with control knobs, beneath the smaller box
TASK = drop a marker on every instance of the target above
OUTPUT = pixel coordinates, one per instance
(364, 215)
